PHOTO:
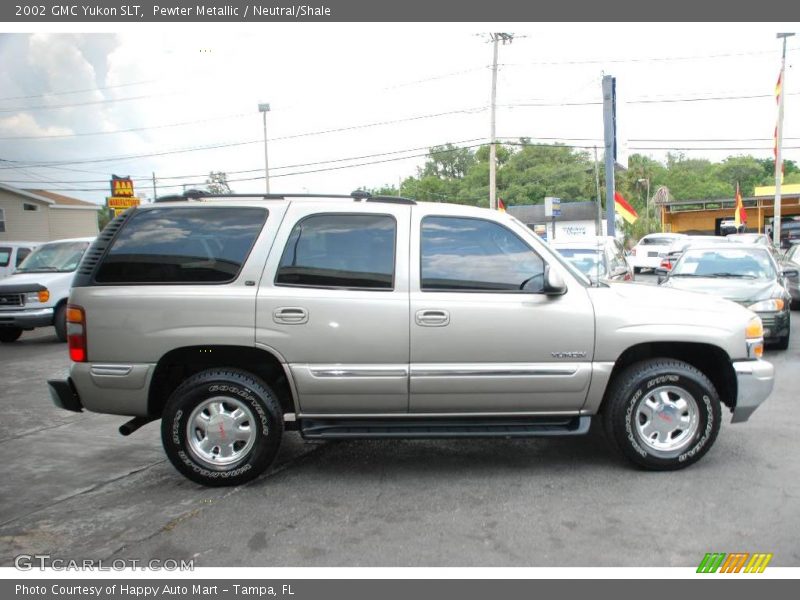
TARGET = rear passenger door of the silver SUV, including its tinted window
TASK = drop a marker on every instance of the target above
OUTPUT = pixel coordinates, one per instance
(333, 303)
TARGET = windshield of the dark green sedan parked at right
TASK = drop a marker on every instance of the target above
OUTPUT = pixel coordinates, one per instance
(746, 264)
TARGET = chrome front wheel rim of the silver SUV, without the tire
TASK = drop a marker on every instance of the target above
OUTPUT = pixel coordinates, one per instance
(666, 420)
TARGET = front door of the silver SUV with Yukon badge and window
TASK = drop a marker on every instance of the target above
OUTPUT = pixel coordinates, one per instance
(484, 338)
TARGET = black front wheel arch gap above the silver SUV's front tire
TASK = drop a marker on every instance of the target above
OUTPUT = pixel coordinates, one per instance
(709, 359)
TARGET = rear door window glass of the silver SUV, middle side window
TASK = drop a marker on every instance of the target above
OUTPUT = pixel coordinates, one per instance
(344, 251)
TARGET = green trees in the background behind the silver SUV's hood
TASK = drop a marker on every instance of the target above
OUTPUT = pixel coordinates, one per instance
(527, 172)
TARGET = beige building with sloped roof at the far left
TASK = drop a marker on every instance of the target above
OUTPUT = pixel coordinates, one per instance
(40, 216)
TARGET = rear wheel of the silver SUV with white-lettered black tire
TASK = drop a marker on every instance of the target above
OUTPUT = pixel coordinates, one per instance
(234, 388)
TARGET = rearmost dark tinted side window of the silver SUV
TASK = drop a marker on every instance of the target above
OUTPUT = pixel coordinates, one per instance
(182, 245)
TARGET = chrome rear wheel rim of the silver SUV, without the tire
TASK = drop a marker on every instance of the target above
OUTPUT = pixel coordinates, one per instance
(221, 431)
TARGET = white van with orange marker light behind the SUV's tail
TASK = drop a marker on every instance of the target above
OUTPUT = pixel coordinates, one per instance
(35, 295)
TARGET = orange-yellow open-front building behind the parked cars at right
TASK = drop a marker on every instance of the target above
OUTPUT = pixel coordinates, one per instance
(705, 216)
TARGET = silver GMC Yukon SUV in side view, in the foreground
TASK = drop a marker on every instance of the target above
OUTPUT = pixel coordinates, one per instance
(233, 319)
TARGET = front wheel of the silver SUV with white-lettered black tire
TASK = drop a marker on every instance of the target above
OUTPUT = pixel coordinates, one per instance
(624, 418)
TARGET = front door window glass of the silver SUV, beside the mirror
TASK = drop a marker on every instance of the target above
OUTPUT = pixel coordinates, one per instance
(474, 254)
